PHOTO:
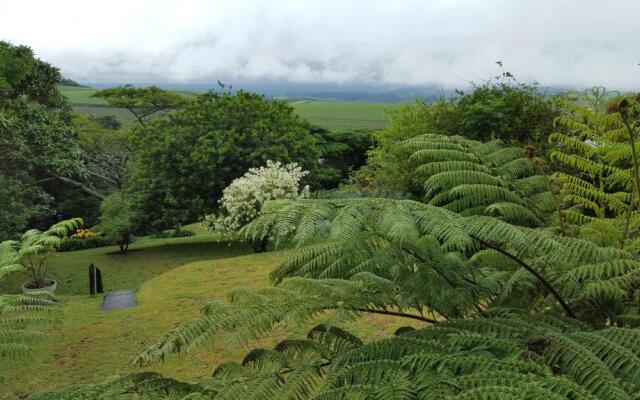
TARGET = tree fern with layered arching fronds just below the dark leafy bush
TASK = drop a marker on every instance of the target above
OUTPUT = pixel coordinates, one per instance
(470, 177)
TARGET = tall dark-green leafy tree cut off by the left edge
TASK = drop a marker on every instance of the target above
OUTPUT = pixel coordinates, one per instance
(37, 142)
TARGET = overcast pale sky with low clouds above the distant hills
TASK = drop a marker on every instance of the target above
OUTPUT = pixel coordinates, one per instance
(448, 42)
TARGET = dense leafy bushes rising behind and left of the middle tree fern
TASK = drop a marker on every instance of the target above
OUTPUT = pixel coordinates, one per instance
(516, 113)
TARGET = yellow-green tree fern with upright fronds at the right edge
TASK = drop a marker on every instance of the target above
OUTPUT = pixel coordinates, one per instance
(597, 145)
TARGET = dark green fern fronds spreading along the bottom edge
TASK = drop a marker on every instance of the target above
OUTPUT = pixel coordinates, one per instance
(542, 357)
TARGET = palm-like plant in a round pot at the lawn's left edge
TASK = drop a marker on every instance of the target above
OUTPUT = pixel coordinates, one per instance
(31, 253)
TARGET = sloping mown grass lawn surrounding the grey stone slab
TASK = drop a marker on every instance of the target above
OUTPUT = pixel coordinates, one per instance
(90, 345)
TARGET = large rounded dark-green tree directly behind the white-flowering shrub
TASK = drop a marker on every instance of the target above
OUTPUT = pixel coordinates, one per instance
(186, 159)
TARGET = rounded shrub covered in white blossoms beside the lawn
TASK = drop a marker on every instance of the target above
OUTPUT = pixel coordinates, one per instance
(243, 199)
